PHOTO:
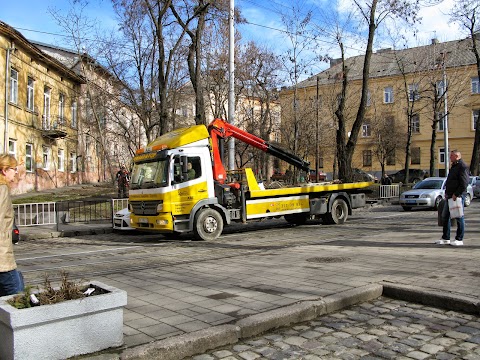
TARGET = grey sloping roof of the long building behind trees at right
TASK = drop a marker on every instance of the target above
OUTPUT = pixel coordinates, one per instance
(384, 63)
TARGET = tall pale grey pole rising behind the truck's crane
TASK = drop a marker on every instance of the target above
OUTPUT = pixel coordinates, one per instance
(231, 83)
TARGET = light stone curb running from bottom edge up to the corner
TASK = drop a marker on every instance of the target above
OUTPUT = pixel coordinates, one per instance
(199, 342)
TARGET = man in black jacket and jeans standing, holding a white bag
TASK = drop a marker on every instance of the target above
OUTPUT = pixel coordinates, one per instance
(455, 187)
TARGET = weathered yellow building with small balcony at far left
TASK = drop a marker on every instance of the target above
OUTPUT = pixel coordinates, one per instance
(39, 116)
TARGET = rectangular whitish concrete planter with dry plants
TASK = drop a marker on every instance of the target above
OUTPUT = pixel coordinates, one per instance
(62, 330)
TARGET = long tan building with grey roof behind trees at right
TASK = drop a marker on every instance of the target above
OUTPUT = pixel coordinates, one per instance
(406, 91)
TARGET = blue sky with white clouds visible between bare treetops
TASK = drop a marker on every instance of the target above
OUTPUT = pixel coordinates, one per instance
(33, 20)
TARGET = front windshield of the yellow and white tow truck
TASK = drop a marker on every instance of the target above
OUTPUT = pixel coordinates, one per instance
(149, 174)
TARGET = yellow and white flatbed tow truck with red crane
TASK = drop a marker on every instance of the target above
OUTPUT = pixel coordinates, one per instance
(179, 184)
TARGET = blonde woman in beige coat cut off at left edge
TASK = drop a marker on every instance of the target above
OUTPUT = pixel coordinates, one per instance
(11, 281)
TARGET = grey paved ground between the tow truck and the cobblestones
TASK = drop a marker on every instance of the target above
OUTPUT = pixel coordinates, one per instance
(179, 308)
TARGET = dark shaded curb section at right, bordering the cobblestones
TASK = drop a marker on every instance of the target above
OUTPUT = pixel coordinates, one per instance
(416, 294)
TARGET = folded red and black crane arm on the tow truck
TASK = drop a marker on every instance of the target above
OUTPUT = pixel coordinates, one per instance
(219, 128)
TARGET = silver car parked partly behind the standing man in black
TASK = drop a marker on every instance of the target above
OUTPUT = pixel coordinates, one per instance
(428, 193)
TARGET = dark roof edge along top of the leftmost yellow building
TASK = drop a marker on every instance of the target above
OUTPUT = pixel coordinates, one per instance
(30, 47)
